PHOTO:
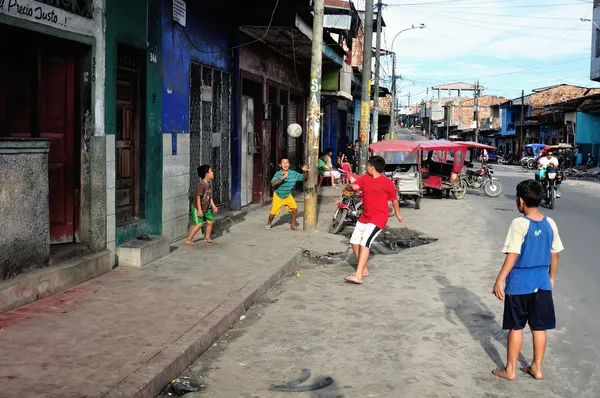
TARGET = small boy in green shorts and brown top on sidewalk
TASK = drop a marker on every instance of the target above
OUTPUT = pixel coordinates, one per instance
(203, 206)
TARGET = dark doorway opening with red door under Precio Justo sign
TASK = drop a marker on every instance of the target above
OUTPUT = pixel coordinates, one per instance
(40, 98)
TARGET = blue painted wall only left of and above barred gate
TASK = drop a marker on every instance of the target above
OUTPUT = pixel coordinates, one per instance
(208, 36)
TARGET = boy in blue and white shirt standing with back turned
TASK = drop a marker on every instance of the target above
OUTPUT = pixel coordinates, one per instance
(526, 280)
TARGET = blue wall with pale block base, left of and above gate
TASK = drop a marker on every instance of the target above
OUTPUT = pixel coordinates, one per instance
(208, 44)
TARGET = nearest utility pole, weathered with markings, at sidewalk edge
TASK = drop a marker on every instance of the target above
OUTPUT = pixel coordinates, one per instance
(314, 119)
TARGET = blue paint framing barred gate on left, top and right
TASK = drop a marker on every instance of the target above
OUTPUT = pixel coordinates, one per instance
(206, 39)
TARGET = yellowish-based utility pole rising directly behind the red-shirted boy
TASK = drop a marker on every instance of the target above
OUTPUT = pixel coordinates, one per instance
(365, 101)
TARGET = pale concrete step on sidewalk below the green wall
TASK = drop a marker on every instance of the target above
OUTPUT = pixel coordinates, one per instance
(139, 253)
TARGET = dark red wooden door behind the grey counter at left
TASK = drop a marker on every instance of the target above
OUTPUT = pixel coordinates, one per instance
(56, 122)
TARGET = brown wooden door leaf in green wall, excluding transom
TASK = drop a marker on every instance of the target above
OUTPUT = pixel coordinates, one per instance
(127, 146)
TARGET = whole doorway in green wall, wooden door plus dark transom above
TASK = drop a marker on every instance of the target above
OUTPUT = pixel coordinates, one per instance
(129, 76)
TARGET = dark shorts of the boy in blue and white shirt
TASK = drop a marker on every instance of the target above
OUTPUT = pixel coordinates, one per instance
(537, 309)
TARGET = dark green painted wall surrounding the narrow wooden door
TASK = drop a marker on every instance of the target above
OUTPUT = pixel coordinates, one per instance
(137, 23)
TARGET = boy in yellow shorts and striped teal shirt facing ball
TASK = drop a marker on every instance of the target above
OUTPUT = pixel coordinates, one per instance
(283, 182)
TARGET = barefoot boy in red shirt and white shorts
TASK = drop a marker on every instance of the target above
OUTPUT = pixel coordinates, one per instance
(377, 191)
